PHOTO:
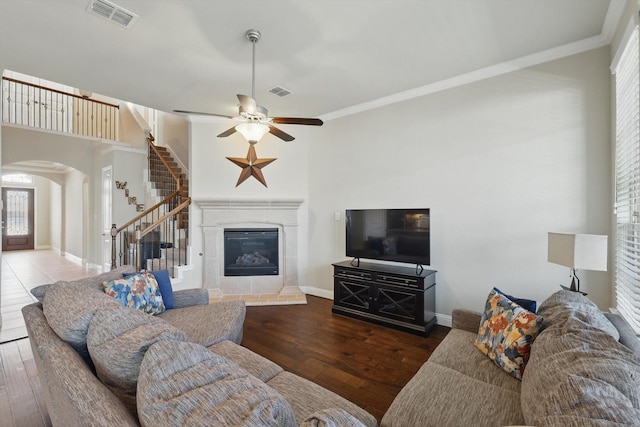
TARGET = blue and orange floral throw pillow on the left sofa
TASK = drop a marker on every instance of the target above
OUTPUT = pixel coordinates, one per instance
(139, 291)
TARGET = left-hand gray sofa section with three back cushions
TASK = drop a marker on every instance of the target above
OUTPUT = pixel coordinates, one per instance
(103, 364)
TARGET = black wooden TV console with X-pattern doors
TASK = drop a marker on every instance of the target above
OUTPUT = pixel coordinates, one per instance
(399, 297)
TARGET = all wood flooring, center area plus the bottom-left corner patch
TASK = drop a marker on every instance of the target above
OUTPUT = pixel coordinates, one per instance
(365, 363)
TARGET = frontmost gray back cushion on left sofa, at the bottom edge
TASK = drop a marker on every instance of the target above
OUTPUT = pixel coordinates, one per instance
(185, 384)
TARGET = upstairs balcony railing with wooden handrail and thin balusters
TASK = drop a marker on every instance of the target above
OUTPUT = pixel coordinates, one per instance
(41, 107)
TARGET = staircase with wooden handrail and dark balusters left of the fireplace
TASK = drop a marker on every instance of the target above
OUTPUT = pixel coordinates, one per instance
(158, 234)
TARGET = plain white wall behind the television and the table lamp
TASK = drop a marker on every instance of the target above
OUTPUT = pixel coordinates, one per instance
(500, 163)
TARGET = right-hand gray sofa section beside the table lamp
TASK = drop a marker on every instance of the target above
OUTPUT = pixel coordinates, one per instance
(584, 370)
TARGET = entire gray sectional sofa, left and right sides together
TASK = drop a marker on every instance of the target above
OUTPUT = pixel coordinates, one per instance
(101, 364)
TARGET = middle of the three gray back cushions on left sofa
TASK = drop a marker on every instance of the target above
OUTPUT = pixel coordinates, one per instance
(117, 341)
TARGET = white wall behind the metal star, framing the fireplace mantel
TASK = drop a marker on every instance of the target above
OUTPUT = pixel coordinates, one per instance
(212, 176)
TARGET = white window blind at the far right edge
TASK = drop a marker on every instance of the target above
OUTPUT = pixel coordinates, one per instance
(627, 176)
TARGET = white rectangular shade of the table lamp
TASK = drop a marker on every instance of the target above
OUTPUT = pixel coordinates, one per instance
(579, 251)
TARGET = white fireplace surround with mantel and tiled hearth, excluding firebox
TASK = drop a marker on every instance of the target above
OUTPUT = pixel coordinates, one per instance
(218, 214)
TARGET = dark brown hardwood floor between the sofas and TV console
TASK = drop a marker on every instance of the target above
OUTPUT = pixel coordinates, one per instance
(365, 363)
